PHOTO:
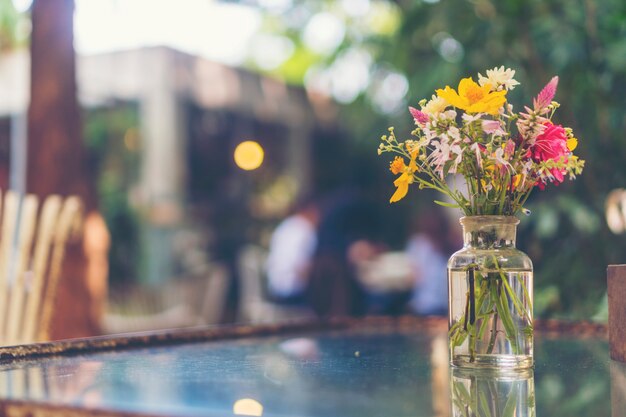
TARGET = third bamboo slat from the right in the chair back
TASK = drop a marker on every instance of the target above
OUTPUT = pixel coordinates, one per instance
(28, 220)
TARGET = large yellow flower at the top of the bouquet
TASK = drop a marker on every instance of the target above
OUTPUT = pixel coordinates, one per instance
(473, 98)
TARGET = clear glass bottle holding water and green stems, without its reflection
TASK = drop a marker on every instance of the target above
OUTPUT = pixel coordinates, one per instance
(490, 291)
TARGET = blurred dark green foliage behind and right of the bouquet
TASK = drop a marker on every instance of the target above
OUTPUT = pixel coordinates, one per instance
(584, 41)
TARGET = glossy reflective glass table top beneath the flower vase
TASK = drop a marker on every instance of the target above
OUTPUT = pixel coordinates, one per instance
(355, 372)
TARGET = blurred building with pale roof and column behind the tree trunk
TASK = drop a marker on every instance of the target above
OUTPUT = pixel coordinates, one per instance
(187, 115)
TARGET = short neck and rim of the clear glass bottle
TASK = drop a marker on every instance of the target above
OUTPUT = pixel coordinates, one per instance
(489, 232)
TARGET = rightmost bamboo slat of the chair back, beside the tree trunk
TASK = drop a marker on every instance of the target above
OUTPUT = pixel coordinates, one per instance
(68, 223)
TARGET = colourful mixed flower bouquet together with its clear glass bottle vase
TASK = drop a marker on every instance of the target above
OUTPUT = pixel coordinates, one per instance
(470, 145)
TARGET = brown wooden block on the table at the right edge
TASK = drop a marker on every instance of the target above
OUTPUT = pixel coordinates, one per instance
(616, 283)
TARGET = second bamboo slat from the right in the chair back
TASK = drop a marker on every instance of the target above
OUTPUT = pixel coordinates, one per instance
(48, 220)
